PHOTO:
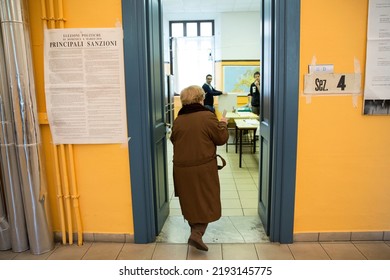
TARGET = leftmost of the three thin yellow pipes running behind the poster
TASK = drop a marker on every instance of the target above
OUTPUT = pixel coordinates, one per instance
(55, 154)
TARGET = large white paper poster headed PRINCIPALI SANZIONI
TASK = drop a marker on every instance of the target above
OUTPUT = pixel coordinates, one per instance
(84, 84)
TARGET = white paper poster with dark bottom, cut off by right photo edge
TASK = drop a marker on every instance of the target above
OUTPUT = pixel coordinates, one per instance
(377, 84)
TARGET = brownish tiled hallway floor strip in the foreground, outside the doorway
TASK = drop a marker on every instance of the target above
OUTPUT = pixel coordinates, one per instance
(375, 250)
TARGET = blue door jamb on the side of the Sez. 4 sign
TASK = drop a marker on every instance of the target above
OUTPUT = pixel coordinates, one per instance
(285, 120)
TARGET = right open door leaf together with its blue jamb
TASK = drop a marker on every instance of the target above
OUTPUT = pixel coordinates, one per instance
(280, 28)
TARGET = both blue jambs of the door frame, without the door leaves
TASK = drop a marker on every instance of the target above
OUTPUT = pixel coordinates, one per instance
(285, 118)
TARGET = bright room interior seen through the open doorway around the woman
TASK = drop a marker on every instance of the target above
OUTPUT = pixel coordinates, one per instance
(227, 49)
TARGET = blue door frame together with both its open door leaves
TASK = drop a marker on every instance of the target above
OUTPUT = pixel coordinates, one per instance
(141, 36)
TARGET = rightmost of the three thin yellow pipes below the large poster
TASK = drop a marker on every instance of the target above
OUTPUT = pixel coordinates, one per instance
(75, 196)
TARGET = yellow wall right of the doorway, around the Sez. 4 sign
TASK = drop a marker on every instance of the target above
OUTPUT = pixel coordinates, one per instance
(343, 164)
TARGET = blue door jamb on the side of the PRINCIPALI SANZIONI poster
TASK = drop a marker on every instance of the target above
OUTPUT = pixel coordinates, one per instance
(134, 16)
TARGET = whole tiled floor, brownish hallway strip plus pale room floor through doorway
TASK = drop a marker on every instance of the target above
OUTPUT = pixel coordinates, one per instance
(238, 235)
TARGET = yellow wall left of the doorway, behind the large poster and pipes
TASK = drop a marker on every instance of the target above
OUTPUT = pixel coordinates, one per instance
(102, 171)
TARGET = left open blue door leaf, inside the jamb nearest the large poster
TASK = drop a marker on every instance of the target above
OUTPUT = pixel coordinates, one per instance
(158, 112)
